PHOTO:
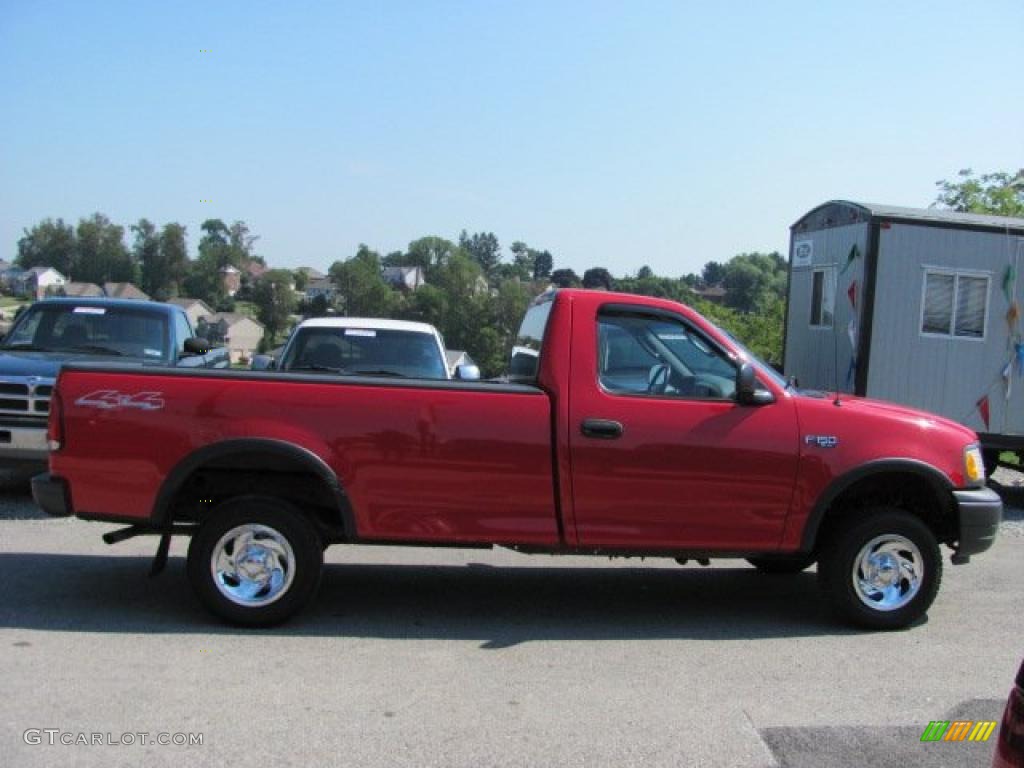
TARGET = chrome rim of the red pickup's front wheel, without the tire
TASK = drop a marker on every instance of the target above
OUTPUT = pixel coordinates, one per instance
(888, 573)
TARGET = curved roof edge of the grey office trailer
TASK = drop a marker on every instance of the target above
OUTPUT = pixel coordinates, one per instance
(840, 212)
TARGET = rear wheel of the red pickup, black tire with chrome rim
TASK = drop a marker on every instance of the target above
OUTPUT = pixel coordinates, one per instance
(279, 523)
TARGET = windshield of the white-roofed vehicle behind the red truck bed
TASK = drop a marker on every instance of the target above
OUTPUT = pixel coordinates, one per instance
(372, 352)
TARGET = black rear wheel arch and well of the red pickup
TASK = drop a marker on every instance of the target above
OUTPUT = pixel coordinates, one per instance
(255, 465)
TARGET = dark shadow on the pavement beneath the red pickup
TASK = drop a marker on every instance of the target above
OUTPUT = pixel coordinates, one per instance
(499, 607)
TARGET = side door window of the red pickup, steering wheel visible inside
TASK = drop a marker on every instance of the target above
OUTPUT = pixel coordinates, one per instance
(655, 356)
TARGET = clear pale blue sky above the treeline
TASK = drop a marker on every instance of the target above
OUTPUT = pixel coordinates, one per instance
(614, 135)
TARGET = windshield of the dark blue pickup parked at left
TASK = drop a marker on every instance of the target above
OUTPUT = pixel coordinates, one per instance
(91, 330)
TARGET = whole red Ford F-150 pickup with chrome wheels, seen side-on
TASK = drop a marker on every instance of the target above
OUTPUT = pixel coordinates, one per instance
(627, 426)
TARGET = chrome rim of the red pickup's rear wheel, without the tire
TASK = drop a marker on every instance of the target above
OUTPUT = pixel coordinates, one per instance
(252, 566)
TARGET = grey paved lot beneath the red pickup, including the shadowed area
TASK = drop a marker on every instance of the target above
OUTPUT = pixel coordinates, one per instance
(414, 658)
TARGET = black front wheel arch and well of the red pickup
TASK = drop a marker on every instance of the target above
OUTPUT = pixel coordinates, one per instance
(915, 486)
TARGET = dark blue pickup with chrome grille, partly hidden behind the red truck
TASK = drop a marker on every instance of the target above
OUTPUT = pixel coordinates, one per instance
(57, 331)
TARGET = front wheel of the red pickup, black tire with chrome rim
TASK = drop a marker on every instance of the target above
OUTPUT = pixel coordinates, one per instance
(842, 553)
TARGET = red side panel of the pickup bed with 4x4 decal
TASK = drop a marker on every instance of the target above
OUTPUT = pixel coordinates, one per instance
(403, 450)
